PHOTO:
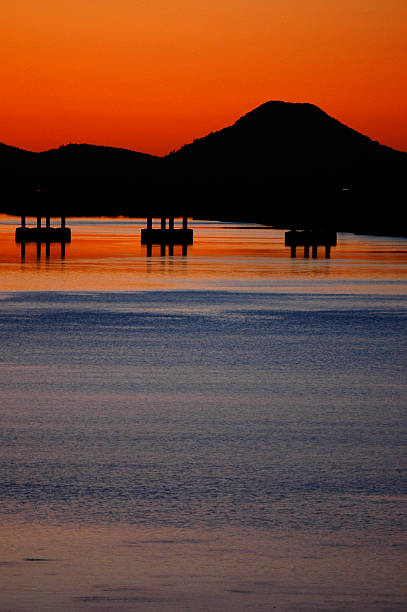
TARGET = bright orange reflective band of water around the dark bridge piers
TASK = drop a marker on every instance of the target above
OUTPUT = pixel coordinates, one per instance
(107, 255)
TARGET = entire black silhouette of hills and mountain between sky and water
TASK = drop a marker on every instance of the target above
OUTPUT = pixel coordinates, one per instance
(282, 164)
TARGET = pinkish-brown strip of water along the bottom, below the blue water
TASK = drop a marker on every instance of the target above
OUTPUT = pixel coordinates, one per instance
(131, 567)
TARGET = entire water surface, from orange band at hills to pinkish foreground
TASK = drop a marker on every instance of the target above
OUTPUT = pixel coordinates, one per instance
(219, 430)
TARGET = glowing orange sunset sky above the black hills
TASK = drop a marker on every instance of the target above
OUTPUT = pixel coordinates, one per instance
(151, 75)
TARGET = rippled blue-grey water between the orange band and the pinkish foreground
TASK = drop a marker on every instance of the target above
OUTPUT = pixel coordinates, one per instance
(203, 408)
